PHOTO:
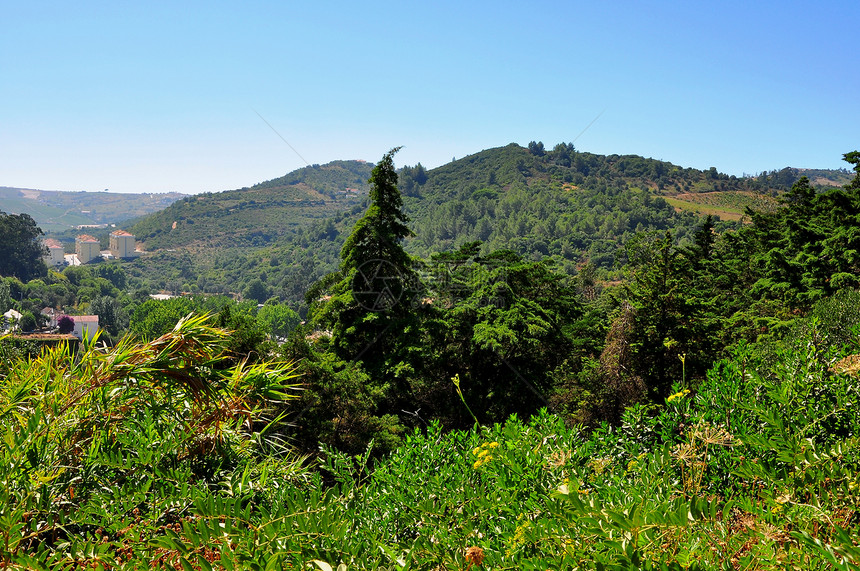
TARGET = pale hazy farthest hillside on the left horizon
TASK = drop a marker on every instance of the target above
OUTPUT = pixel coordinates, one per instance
(57, 211)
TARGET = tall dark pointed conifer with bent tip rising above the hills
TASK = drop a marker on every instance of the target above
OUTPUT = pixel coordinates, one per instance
(366, 306)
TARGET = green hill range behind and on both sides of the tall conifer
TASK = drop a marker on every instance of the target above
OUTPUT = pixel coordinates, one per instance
(576, 208)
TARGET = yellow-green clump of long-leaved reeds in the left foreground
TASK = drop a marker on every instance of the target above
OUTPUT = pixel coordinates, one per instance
(116, 438)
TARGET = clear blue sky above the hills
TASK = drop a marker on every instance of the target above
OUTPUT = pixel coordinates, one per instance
(163, 96)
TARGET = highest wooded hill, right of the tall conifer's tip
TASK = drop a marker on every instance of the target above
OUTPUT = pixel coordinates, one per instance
(572, 206)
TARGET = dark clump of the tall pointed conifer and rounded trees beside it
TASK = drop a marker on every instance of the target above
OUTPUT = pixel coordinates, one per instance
(392, 331)
